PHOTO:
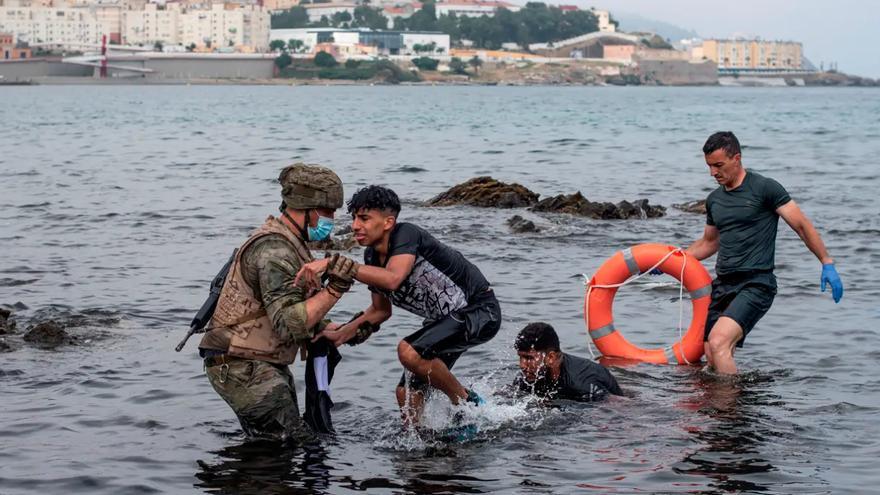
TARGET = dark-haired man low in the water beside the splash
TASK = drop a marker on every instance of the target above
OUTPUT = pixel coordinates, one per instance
(548, 372)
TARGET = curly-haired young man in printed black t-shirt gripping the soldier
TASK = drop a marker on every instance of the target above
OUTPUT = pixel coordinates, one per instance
(406, 267)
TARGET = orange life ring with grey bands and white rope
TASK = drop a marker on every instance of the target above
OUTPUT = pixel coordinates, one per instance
(633, 261)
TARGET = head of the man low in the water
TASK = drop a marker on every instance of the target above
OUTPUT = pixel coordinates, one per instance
(540, 357)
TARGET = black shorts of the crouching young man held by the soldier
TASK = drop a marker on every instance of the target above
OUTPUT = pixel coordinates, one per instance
(448, 338)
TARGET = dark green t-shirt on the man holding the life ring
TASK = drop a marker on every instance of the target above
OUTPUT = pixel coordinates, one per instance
(747, 222)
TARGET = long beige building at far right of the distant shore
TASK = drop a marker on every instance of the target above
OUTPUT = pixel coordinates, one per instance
(754, 54)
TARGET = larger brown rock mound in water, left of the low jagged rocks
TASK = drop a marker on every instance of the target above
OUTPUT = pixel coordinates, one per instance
(486, 192)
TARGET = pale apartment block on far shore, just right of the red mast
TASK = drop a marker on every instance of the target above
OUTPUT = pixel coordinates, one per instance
(219, 25)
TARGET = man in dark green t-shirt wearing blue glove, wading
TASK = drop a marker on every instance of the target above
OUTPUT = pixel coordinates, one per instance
(741, 221)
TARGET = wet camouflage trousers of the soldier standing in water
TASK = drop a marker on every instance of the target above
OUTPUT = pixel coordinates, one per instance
(263, 397)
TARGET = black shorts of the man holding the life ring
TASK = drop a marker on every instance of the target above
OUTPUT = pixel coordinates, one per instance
(743, 297)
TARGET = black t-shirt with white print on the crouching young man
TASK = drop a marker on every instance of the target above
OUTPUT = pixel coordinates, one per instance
(441, 280)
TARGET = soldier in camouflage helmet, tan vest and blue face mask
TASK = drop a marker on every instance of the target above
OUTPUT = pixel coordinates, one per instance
(263, 318)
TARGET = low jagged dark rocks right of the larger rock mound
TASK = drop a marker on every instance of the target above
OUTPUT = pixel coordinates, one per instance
(577, 204)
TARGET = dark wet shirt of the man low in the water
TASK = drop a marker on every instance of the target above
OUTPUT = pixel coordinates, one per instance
(579, 379)
